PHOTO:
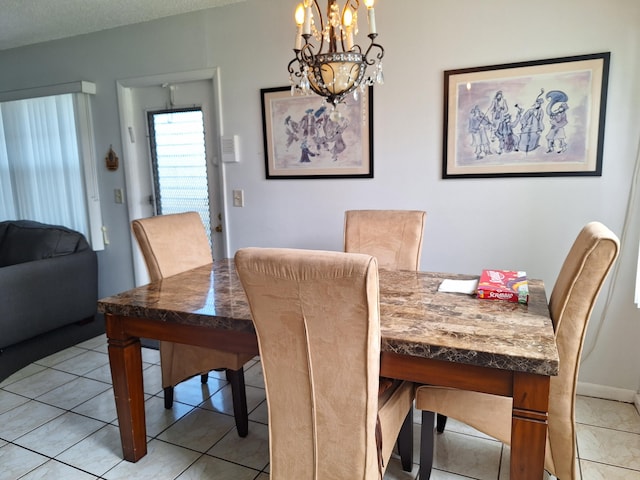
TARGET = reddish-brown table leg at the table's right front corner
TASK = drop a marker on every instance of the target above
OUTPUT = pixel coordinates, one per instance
(529, 426)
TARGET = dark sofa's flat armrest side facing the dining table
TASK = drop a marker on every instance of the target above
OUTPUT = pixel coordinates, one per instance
(42, 295)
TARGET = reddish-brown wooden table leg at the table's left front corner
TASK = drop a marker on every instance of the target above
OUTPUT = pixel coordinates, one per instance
(125, 359)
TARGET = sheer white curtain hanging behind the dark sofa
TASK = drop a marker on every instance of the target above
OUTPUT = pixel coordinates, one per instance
(41, 173)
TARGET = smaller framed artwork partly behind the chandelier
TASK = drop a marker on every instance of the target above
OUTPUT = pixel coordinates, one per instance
(306, 138)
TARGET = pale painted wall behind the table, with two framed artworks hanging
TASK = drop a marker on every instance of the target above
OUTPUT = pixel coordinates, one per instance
(536, 219)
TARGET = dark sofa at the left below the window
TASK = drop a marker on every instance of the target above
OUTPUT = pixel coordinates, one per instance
(48, 292)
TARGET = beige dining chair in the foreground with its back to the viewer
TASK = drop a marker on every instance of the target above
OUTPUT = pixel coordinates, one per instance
(316, 316)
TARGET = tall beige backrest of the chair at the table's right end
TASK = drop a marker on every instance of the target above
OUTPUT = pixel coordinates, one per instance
(574, 294)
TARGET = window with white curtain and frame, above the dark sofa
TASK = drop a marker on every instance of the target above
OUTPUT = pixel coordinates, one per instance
(47, 166)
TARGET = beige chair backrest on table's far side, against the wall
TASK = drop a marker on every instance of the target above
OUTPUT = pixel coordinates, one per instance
(394, 237)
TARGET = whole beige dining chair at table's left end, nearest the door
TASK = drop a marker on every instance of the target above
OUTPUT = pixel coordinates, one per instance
(173, 244)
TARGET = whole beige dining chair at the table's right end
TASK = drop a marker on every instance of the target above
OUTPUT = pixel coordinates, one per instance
(574, 294)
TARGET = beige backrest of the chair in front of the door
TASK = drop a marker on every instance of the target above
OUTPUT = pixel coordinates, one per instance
(172, 244)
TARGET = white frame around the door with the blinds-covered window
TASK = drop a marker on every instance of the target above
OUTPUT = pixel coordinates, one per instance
(131, 154)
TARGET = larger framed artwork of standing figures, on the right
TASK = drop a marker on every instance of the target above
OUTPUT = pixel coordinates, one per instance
(541, 118)
